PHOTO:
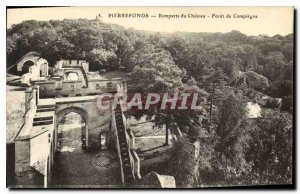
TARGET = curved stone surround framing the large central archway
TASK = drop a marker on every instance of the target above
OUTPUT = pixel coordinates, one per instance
(80, 111)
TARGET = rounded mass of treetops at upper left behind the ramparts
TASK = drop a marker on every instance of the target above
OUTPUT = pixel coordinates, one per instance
(98, 43)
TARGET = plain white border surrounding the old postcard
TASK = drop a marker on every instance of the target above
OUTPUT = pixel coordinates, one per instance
(5, 3)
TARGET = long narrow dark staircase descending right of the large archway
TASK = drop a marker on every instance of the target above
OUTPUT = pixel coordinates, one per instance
(124, 148)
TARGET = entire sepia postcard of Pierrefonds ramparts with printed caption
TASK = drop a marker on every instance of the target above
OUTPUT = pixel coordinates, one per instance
(150, 97)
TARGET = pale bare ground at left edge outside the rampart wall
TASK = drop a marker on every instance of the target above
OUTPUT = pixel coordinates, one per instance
(15, 102)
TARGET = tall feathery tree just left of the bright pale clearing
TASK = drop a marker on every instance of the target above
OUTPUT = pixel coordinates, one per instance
(232, 135)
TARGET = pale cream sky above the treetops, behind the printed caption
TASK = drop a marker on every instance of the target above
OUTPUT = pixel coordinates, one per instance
(266, 20)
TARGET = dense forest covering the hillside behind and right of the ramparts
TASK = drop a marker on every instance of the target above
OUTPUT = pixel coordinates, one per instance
(227, 69)
